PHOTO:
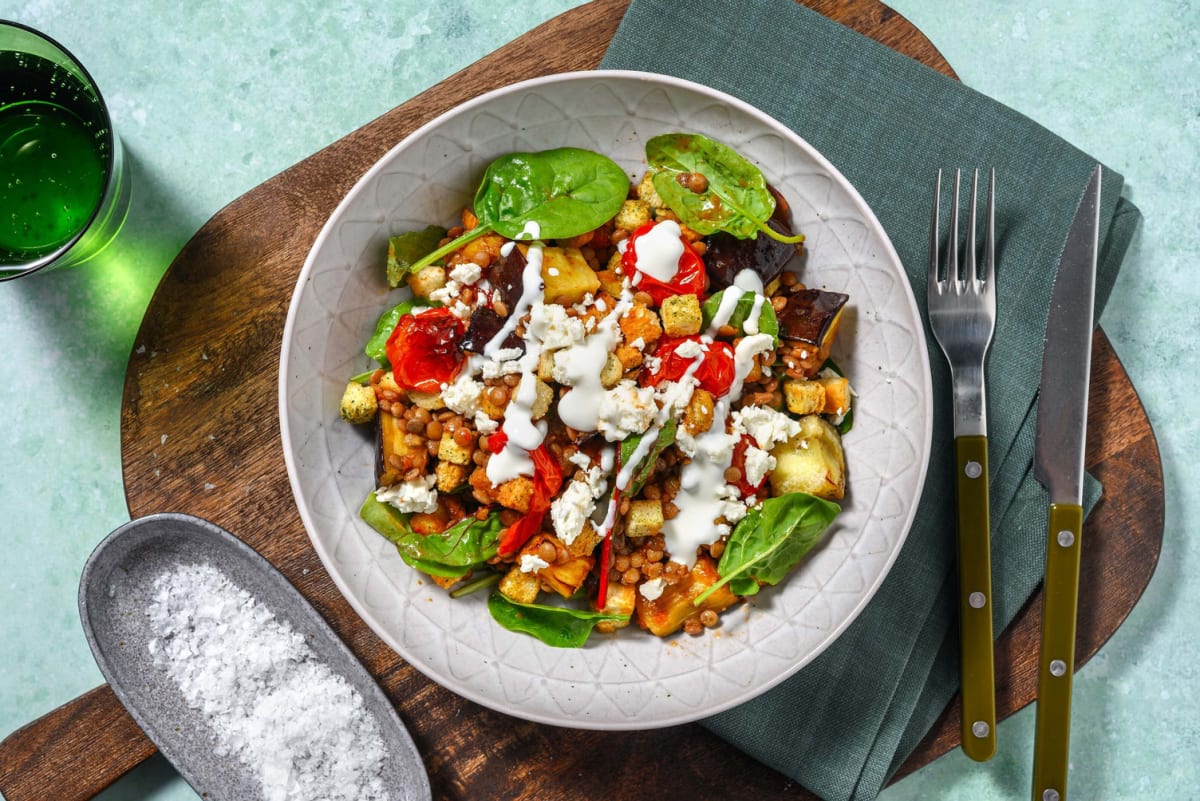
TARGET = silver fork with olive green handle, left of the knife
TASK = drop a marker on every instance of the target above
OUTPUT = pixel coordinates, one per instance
(963, 316)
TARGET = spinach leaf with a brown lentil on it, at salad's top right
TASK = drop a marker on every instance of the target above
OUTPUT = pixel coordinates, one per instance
(737, 200)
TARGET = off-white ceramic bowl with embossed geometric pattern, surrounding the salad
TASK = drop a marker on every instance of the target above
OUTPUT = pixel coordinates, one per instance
(631, 680)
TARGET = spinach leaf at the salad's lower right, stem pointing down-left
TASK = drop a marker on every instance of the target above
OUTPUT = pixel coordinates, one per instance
(771, 540)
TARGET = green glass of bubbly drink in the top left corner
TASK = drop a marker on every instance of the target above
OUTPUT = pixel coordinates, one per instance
(64, 184)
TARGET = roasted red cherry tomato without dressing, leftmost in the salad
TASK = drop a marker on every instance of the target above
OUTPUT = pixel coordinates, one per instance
(425, 350)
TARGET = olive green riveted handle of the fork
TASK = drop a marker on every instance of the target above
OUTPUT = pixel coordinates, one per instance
(975, 599)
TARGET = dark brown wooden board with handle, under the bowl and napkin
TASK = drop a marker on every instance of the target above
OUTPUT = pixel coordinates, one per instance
(200, 435)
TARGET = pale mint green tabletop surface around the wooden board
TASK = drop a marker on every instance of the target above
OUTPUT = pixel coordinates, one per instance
(213, 99)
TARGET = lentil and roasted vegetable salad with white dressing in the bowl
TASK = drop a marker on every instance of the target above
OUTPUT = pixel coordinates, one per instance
(608, 402)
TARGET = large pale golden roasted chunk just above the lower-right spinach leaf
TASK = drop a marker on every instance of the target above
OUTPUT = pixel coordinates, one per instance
(812, 462)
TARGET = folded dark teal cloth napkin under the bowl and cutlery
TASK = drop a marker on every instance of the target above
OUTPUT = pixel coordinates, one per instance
(844, 725)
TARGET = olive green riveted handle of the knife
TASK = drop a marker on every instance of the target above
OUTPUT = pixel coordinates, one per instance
(1057, 663)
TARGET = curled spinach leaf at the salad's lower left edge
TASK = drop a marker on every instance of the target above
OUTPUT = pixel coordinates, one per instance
(453, 553)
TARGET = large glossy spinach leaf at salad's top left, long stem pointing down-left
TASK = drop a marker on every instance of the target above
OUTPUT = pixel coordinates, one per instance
(567, 191)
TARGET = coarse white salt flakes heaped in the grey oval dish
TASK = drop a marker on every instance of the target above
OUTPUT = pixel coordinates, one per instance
(271, 702)
